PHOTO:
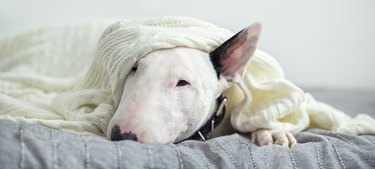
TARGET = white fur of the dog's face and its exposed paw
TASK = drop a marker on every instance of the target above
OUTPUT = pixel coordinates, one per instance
(157, 110)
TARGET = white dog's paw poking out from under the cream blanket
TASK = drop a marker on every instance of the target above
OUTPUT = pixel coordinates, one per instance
(264, 137)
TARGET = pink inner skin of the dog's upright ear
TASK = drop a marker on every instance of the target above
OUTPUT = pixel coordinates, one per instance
(240, 52)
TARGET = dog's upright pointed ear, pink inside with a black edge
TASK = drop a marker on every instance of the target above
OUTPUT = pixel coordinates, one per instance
(230, 59)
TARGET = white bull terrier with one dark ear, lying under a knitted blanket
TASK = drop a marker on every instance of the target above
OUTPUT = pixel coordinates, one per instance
(175, 94)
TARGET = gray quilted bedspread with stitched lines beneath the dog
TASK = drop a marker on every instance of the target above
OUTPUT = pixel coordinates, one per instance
(32, 146)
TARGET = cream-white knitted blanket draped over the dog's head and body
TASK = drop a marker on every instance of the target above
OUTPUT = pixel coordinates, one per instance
(62, 78)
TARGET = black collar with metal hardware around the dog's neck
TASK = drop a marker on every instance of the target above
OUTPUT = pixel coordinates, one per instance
(213, 122)
